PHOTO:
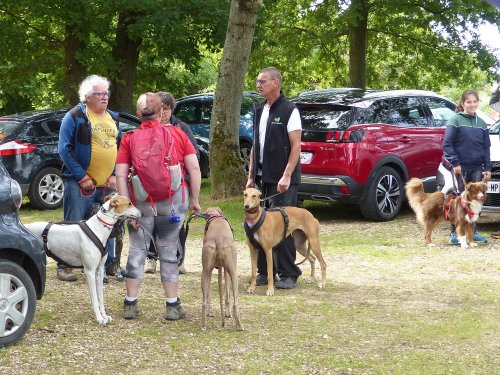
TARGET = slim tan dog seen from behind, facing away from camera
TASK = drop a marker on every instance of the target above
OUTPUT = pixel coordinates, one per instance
(219, 251)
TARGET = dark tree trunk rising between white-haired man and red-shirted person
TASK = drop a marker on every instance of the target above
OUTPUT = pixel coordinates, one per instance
(126, 56)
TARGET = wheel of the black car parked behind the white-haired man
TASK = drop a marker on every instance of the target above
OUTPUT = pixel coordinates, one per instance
(46, 189)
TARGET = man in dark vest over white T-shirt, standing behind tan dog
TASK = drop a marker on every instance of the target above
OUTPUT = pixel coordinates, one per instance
(275, 167)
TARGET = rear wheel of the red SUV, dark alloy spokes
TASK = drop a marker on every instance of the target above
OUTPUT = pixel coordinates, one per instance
(384, 196)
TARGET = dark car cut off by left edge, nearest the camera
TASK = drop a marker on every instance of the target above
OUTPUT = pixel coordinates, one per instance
(22, 265)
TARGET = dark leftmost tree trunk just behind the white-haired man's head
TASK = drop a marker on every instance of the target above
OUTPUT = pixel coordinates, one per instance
(74, 70)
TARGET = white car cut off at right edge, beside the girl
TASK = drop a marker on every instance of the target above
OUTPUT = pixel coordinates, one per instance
(492, 203)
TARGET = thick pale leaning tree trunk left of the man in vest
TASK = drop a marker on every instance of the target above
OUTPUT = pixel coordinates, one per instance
(227, 174)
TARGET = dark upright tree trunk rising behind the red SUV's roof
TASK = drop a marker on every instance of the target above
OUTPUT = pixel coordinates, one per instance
(358, 38)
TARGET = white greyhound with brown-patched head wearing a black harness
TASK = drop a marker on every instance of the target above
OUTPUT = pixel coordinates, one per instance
(70, 244)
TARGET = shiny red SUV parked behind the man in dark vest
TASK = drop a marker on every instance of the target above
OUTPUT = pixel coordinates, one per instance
(360, 147)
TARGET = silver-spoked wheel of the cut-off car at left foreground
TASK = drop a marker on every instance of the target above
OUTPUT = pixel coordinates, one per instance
(17, 302)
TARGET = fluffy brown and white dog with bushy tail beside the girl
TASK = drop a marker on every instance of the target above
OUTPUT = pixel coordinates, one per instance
(462, 210)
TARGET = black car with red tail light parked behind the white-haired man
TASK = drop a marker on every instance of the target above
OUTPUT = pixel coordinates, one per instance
(28, 149)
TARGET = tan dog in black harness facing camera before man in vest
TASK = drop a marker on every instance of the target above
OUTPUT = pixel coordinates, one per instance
(303, 226)
